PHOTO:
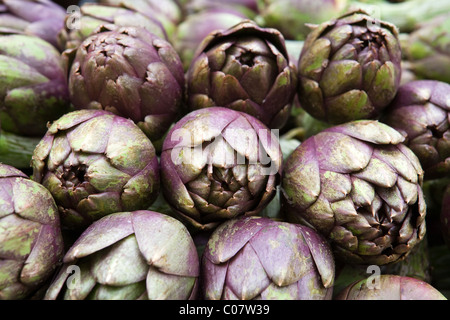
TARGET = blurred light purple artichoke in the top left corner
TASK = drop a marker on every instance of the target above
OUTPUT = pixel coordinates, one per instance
(41, 18)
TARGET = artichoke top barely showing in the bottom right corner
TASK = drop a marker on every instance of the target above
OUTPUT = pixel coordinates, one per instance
(390, 287)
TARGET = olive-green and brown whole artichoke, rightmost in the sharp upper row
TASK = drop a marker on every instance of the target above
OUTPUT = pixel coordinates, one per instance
(349, 68)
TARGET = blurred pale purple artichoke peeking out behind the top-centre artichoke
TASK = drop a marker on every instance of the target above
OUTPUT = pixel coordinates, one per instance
(197, 26)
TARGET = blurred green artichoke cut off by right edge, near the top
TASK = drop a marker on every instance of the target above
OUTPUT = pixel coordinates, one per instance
(428, 49)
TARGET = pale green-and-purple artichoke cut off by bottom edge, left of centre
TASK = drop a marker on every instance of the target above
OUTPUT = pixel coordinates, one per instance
(141, 255)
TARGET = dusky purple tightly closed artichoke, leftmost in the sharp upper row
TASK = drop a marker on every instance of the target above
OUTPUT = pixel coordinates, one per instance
(132, 73)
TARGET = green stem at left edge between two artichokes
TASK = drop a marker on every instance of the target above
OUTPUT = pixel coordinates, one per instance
(16, 150)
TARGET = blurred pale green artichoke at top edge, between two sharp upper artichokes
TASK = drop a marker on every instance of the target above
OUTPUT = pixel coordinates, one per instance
(293, 17)
